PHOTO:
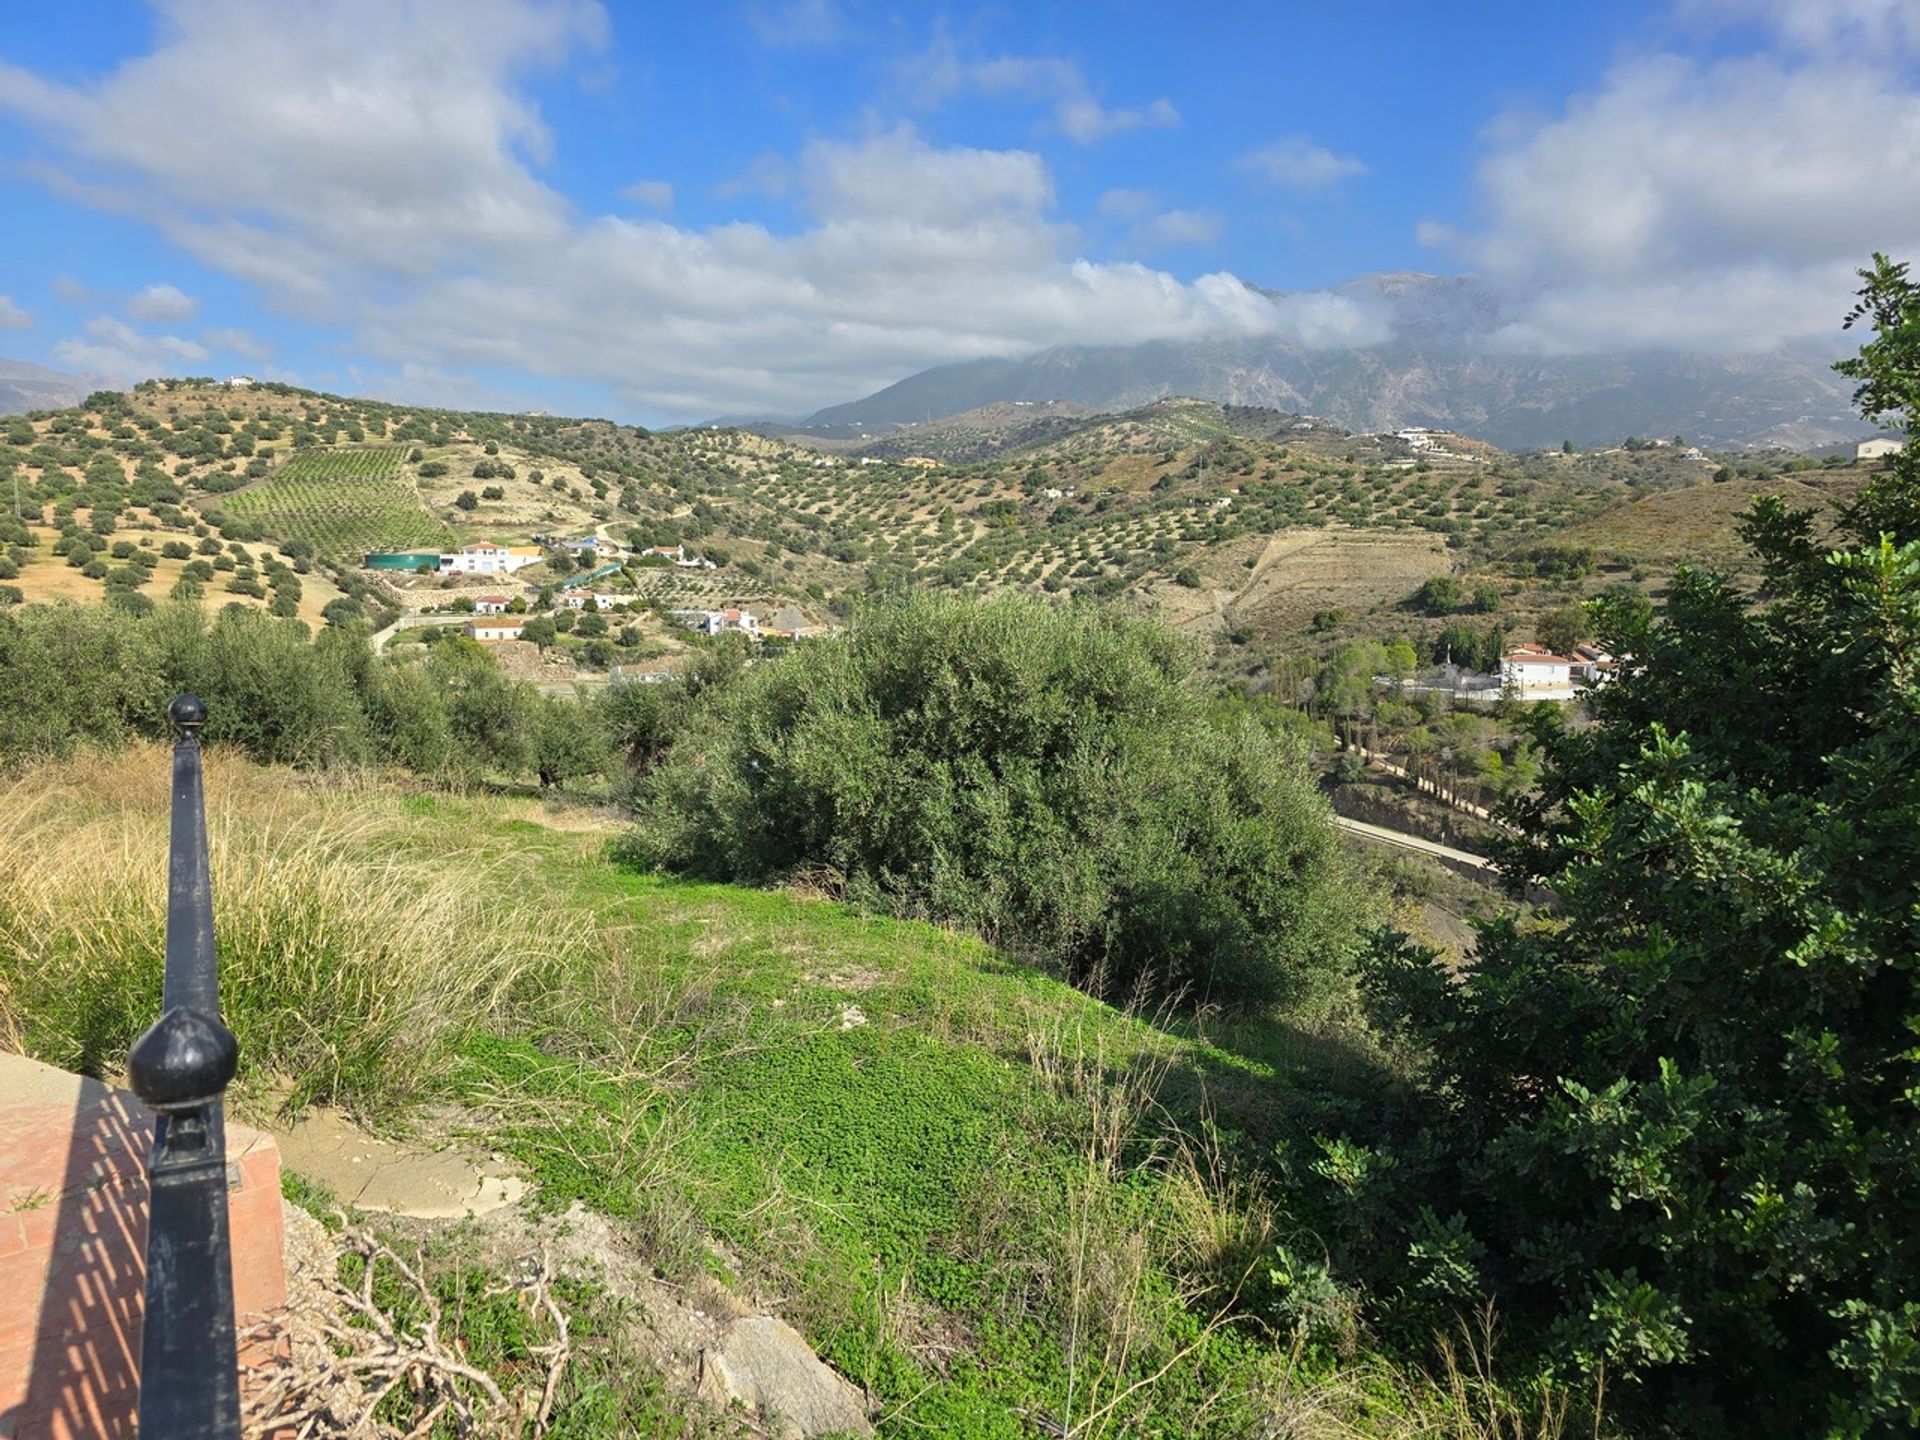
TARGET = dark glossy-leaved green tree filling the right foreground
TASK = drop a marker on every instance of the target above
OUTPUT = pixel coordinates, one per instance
(1675, 1134)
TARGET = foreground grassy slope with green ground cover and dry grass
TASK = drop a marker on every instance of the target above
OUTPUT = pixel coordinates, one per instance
(978, 1193)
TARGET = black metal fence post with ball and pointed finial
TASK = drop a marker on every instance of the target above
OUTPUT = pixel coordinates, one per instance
(189, 1356)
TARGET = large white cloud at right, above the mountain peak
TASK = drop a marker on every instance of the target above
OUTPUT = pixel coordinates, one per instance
(1717, 204)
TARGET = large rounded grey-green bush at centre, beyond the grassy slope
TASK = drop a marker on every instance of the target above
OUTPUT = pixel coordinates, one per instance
(1051, 779)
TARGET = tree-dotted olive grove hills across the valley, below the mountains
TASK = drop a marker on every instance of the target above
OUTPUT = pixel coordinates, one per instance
(1236, 523)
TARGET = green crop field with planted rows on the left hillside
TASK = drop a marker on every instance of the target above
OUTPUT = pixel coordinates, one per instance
(345, 502)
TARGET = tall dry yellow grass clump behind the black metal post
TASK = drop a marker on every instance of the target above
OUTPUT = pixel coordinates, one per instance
(348, 959)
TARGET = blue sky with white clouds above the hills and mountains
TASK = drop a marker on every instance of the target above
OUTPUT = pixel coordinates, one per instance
(671, 212)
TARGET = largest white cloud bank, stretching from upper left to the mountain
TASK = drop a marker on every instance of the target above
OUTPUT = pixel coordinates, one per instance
(391, 191)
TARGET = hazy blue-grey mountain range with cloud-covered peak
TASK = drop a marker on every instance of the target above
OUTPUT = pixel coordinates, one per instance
(1441, 368)
